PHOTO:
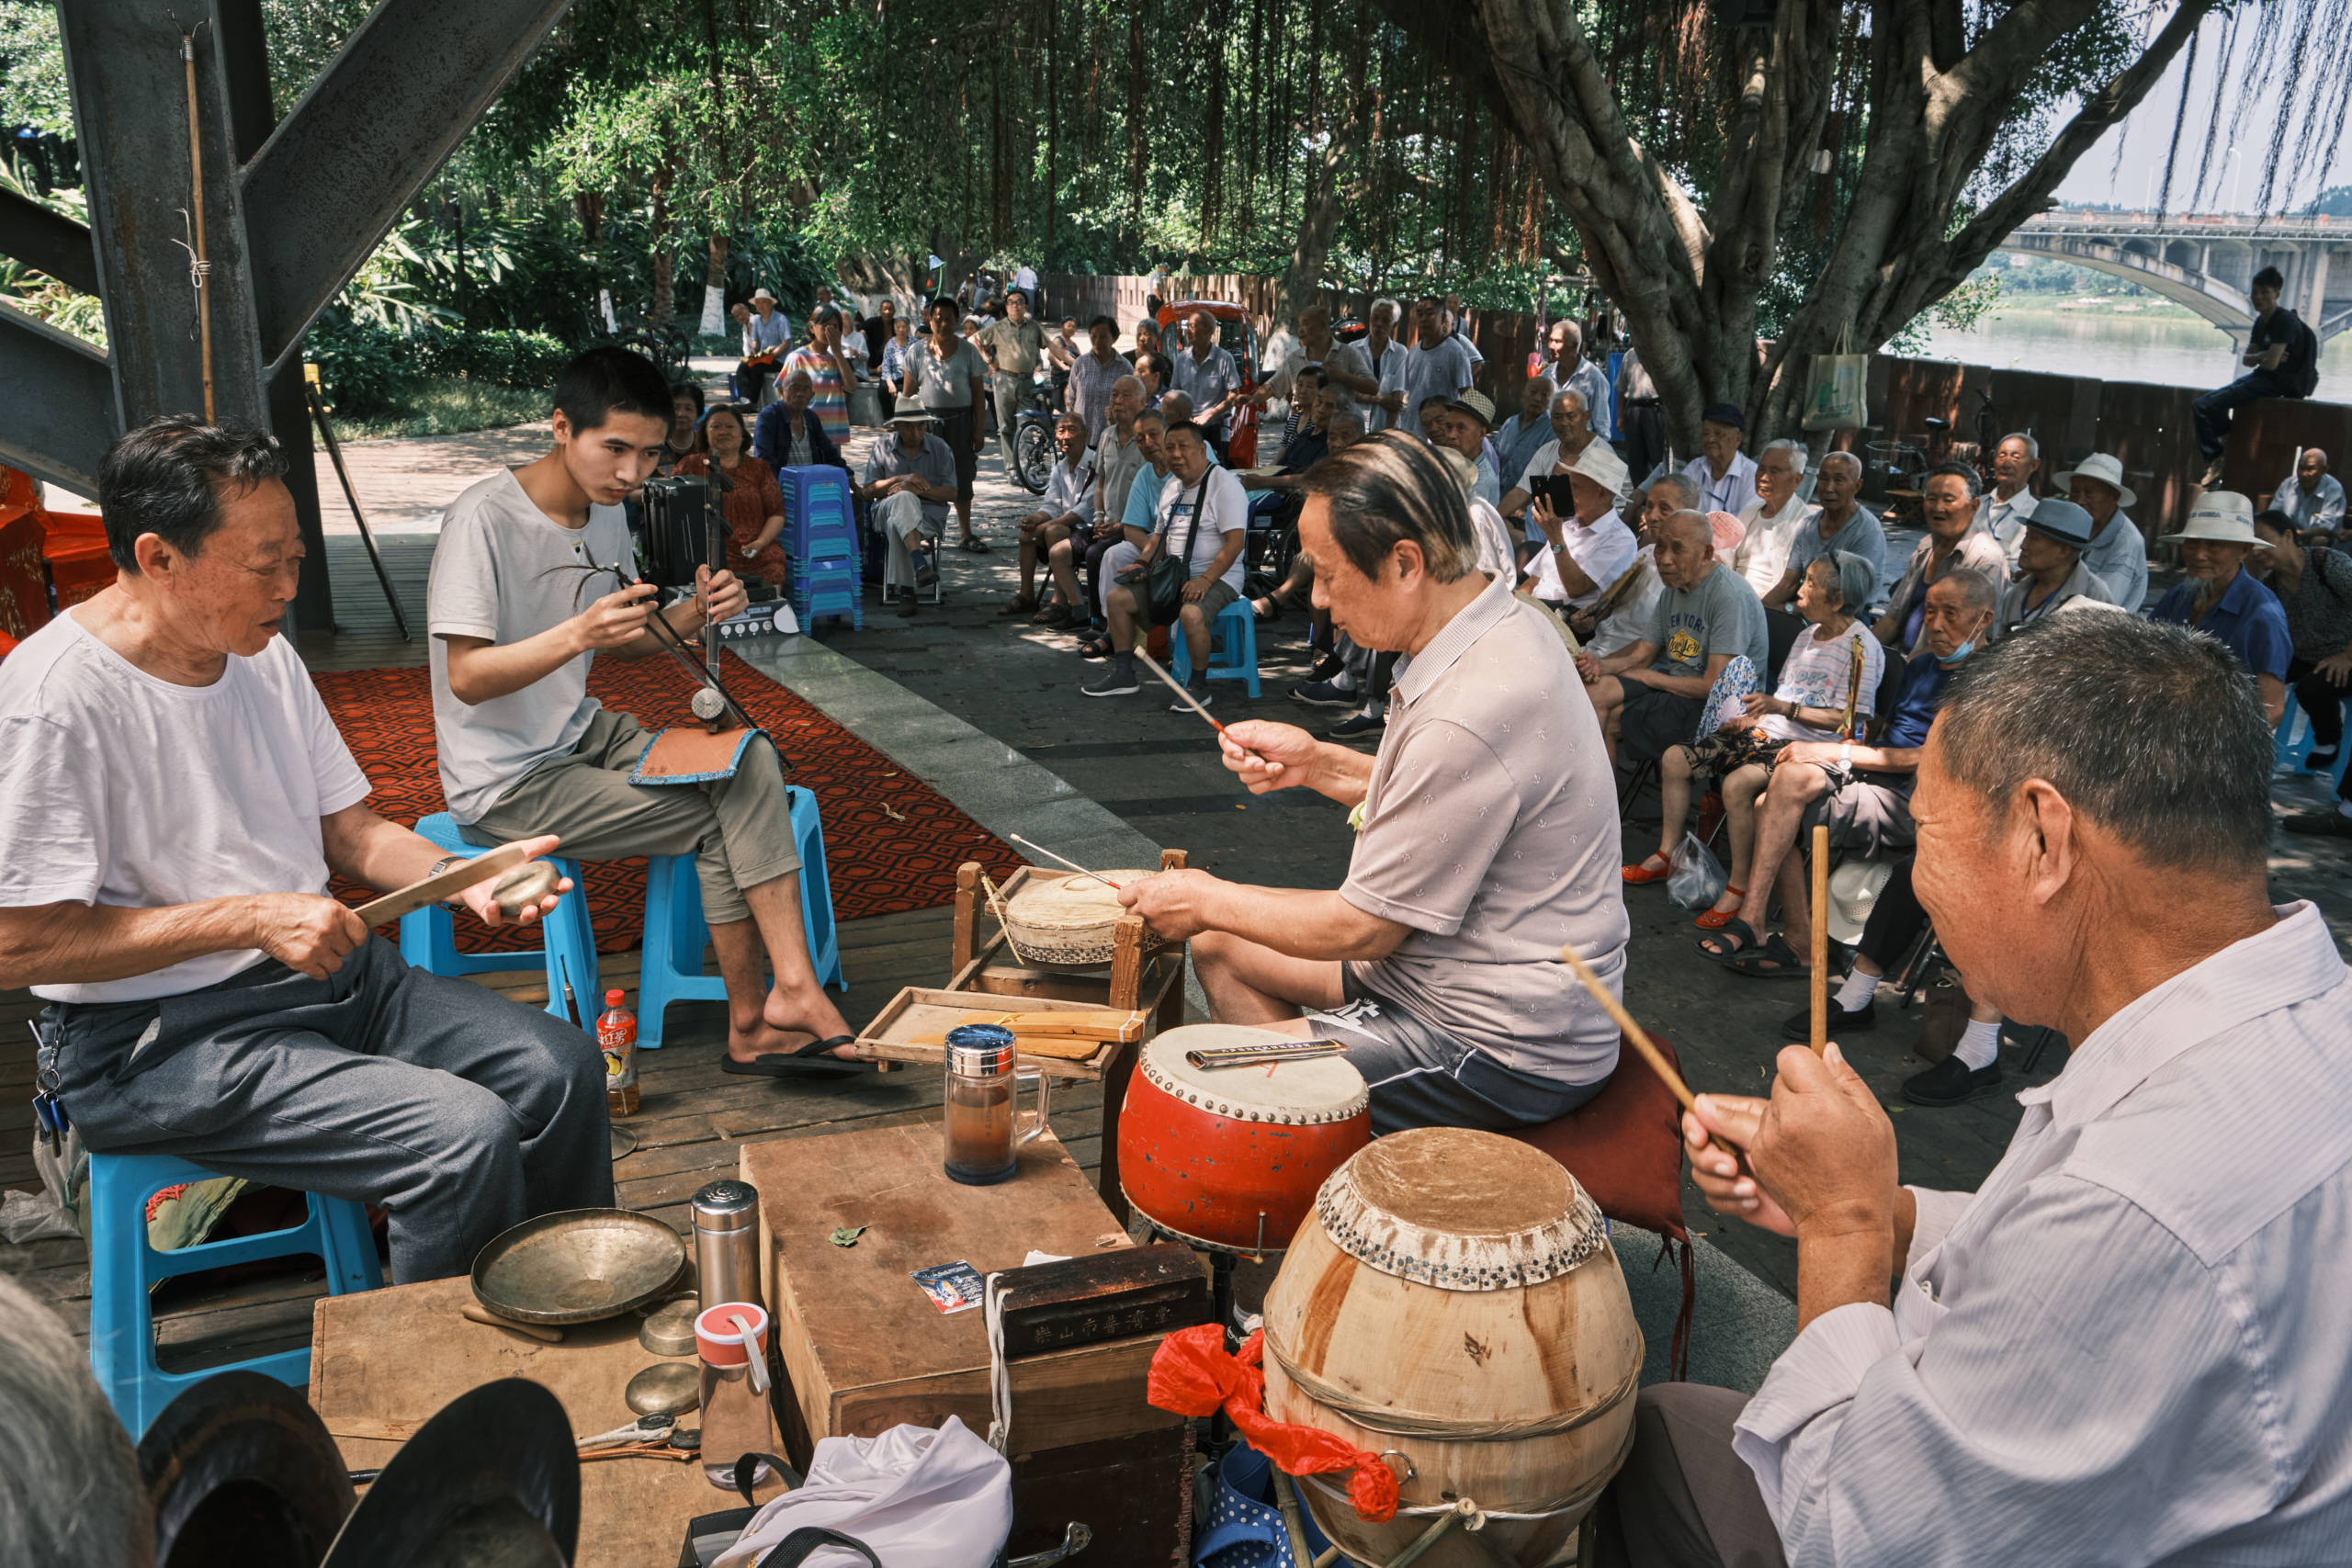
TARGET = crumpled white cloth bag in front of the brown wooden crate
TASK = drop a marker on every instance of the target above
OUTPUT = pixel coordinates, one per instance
(921, 1499)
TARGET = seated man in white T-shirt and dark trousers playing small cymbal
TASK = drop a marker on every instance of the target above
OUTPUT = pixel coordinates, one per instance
(173, 798)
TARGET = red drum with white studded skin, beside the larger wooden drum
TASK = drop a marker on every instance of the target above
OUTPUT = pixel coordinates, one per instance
(1231, 1158)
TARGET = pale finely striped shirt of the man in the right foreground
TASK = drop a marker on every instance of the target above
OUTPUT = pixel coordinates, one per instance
(2130, 1346)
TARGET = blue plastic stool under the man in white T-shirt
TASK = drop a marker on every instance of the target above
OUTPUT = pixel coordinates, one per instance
(123, 1268)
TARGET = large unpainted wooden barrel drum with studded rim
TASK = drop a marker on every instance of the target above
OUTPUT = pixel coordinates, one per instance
(1457, 1301)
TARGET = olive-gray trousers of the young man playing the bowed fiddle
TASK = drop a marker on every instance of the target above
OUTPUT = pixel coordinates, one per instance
(740, 831)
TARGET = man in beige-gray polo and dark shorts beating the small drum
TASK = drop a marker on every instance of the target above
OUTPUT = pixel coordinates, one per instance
(1488, 831)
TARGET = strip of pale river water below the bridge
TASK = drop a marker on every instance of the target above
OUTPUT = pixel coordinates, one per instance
(2120, 347)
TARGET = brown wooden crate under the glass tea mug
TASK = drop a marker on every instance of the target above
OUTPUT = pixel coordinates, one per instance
(864, 1348)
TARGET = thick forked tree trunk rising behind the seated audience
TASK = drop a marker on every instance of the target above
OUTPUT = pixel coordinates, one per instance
(1688, 281)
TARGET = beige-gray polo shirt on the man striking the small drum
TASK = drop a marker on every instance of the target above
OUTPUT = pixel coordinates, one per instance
(1490, 829)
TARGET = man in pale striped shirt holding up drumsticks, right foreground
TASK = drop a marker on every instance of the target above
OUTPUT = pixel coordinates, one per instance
(2130, 1343)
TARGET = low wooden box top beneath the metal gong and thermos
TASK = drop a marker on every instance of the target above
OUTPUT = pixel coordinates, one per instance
(385, 1362)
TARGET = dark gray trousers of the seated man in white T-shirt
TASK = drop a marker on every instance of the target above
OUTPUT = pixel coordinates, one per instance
(455, 1108)
